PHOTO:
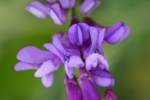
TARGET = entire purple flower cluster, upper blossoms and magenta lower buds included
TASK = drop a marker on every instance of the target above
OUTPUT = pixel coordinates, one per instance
(80, 49)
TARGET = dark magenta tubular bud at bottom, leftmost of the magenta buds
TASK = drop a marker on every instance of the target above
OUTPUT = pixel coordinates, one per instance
(72, 89)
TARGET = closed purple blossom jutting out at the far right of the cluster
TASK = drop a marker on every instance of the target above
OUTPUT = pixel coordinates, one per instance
(117, 33)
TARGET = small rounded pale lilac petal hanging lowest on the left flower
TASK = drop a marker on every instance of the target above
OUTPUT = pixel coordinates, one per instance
(48, 80)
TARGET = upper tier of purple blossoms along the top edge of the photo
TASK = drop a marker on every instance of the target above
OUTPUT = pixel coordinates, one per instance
(57, 10)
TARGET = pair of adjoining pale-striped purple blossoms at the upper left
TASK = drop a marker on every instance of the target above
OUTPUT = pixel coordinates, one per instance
(52, 9)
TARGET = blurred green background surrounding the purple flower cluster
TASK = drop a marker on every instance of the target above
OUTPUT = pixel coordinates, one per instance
(129, 61)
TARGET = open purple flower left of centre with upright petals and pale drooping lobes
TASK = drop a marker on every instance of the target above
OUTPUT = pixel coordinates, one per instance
(70, 57)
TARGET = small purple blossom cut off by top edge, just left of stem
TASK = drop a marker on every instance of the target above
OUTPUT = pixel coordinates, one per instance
(67, 3)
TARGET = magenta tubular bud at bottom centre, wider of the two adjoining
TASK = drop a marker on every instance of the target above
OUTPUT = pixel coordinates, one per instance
(88, 88)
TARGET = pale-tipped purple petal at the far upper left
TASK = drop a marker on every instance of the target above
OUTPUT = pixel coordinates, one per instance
(38, 9)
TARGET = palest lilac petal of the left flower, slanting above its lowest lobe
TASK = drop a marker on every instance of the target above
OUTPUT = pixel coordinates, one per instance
(46, 68)
